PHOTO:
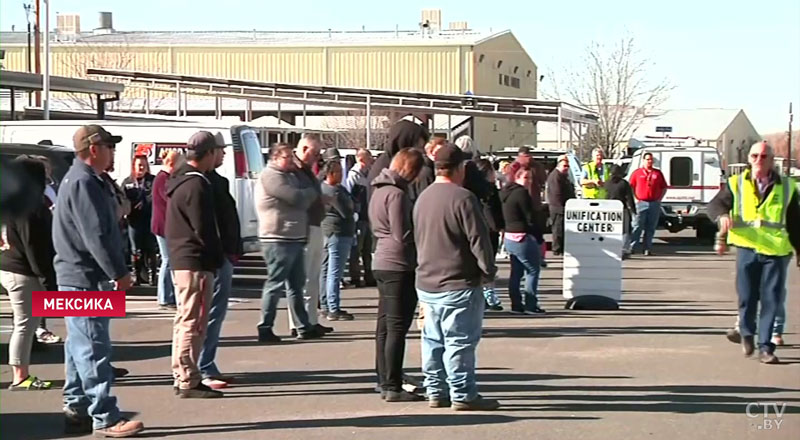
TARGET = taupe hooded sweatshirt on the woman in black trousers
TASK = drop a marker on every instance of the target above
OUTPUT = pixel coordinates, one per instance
(390, 218)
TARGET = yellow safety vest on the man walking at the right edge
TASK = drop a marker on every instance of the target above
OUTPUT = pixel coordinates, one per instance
(761, 228)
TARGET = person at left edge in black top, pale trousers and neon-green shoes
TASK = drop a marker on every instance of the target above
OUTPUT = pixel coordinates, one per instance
(26, 265)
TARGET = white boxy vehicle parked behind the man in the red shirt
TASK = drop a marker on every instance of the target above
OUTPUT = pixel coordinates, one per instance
(694, 177)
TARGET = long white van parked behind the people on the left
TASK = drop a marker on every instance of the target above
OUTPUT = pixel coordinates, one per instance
(242, 165)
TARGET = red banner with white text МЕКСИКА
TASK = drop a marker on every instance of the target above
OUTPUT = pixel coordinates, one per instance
(77, 303)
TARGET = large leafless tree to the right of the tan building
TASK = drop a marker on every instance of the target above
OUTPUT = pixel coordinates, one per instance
(615, 82)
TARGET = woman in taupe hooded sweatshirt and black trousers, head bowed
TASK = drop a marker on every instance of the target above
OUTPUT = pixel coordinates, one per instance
(393, 266)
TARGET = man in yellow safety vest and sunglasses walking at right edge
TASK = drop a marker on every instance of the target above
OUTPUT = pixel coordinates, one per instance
(759, 211)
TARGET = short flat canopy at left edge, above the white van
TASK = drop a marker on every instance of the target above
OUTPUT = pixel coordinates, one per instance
(32, 82)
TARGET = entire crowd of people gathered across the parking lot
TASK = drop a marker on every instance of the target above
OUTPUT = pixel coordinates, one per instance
(424, 222)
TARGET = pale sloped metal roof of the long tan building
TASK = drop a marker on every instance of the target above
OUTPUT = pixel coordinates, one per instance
(266, 38)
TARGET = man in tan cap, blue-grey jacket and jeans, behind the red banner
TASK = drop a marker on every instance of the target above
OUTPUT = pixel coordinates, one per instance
(87, 241)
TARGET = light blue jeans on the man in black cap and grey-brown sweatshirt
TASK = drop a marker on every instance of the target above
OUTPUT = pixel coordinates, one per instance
(450, 336)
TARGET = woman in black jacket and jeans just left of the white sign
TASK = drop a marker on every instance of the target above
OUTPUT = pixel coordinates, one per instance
(522, 238)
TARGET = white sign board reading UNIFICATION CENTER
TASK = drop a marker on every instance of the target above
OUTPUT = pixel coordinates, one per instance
(593, 249)
